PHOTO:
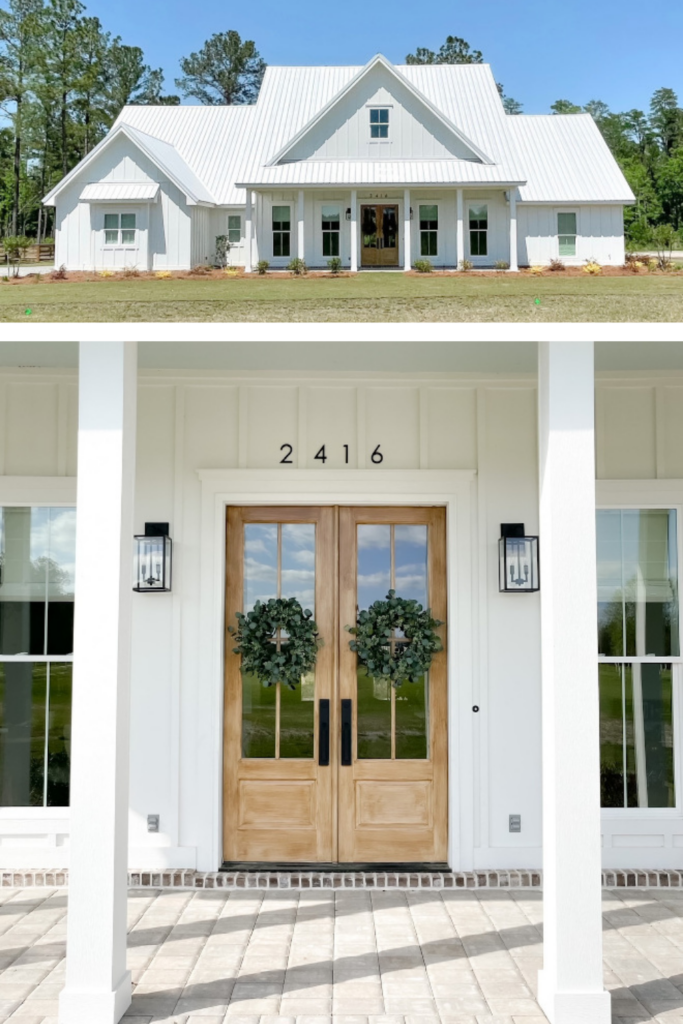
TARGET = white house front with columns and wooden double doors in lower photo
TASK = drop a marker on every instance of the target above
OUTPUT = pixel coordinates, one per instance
(548, 734)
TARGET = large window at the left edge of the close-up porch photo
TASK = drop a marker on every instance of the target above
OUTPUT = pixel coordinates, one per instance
(37, 556)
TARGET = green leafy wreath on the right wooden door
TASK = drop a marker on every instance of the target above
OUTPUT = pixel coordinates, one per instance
(398, 662)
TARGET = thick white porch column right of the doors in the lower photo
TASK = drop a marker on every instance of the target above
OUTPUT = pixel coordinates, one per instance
(571, 988)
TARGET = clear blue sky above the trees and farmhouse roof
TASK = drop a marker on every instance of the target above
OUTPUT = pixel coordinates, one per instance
(541, 51)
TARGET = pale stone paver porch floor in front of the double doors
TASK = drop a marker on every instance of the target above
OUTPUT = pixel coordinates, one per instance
(254, 957)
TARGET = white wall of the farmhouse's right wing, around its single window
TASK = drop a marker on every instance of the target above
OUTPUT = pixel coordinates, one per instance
(601, 236)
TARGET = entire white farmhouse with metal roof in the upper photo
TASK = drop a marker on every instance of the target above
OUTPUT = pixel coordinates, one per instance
(378, 166)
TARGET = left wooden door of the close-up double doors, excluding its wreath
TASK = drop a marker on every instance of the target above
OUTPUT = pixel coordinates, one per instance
(278, 799)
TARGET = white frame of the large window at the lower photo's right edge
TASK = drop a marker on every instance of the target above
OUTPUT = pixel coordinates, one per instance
(646, 495)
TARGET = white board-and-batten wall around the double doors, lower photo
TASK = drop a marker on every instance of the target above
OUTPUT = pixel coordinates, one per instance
(198, 421)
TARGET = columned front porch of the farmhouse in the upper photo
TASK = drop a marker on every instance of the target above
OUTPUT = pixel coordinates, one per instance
(382, 229)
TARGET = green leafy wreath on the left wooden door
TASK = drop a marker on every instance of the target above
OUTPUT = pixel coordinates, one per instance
(264, 655)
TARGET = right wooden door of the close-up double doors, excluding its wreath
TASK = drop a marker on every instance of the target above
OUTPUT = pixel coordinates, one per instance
(394, 797)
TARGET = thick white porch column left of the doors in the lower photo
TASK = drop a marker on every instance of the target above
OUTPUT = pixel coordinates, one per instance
(98, 985)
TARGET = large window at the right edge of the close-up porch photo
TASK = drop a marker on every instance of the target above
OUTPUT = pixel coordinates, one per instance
(638, 646)
